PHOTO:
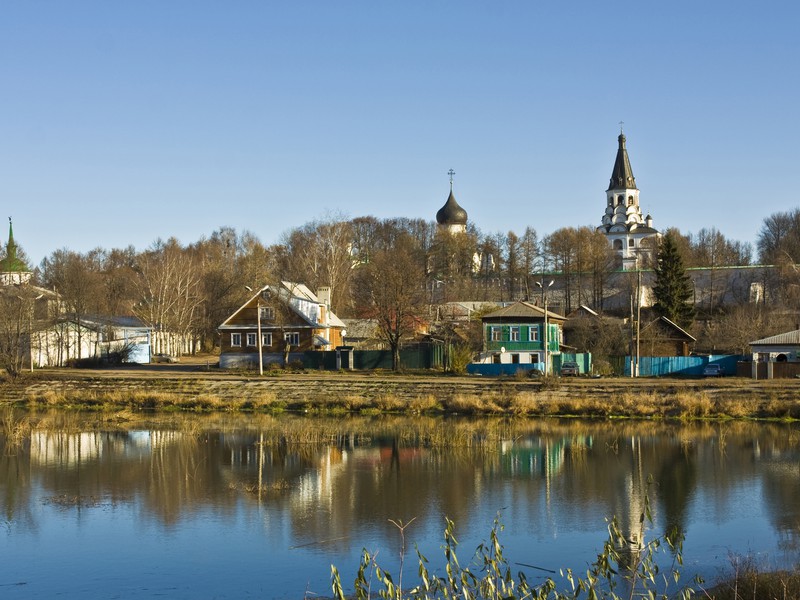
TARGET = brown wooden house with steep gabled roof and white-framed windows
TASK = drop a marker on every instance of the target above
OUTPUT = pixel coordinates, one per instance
(289, 317)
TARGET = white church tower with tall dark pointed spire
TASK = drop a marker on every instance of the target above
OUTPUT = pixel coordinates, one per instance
(631, 235)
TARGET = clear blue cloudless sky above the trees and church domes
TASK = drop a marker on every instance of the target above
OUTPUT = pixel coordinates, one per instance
(123, 121)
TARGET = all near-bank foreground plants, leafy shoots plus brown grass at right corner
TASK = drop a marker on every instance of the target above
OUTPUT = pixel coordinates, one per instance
(622, 570)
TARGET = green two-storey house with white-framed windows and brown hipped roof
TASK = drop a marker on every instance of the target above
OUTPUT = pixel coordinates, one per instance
(515, 334)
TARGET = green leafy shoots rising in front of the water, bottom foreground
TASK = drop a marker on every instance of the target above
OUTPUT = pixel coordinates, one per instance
(623, 569)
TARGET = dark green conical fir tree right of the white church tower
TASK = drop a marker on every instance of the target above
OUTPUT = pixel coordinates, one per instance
(672, 288)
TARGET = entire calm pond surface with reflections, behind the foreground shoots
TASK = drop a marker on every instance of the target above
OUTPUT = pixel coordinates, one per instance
(238, 506)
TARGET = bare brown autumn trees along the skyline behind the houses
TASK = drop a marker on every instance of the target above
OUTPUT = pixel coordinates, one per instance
(188, 290)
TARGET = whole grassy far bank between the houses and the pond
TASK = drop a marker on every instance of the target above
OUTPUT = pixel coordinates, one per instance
(340, 393)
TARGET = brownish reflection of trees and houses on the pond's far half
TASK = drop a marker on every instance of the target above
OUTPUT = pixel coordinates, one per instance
(340, 477)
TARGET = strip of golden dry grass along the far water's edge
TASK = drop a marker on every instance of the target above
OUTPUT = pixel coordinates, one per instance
(505, 399)
